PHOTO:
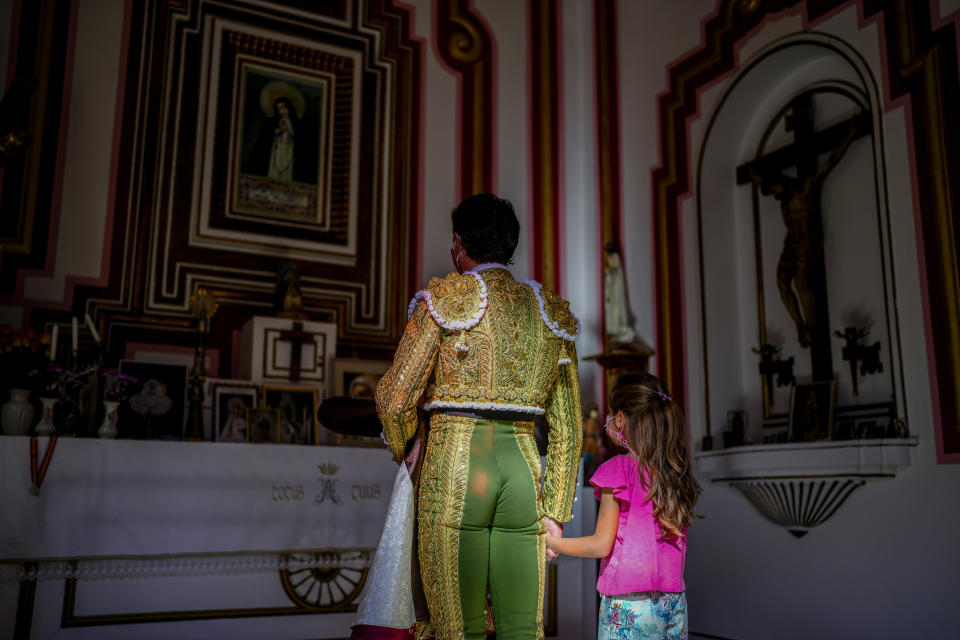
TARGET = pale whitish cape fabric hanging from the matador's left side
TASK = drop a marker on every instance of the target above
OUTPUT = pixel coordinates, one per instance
(388, 600)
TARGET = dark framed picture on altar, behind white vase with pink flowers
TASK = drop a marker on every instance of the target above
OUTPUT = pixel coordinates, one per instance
(156, 406)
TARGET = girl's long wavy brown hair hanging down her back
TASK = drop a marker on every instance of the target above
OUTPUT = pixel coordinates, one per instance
(658, 434)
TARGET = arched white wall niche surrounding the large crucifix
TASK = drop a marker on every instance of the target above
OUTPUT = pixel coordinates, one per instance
(740, 235)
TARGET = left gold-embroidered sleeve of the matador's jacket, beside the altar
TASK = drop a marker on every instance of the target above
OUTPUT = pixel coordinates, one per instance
(401, 387)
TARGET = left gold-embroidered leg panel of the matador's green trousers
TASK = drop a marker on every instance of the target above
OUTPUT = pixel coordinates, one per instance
(443, 486)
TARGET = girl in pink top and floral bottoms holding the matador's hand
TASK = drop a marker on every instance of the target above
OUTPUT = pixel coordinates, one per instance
(646, 504)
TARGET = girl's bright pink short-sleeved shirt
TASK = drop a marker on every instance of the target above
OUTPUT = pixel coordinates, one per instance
(640, 559)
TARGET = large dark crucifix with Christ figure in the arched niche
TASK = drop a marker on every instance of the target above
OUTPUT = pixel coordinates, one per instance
(801, 273)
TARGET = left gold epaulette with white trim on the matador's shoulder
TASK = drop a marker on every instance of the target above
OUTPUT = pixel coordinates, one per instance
(455, 302)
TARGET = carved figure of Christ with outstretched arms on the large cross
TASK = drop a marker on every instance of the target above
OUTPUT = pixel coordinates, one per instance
(803, 247)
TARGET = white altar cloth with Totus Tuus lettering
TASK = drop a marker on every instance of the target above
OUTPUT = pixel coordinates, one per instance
(135, 498)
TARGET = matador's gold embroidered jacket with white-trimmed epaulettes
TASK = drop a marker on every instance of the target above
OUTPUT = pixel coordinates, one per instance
(483, 341)
